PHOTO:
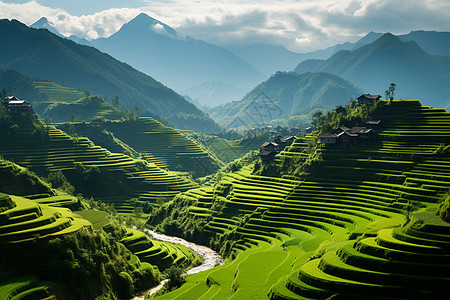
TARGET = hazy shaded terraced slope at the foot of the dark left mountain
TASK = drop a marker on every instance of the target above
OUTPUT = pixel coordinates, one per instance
(164, 146)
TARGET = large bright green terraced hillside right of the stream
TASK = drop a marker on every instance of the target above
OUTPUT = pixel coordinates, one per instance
(342, 231)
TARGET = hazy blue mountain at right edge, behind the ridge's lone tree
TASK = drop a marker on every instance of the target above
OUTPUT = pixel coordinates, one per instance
(417, 74)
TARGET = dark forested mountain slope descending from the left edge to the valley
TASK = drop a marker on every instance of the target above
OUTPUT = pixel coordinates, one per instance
(41, 54)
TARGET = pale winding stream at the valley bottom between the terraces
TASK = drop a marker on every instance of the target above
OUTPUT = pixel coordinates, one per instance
(210, 258)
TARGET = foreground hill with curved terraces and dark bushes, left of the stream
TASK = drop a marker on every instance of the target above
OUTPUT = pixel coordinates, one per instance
(61, 240)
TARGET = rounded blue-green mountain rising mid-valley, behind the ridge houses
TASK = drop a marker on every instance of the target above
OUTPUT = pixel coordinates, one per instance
(285, 94)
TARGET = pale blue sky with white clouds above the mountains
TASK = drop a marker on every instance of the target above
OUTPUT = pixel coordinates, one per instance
(299, 25)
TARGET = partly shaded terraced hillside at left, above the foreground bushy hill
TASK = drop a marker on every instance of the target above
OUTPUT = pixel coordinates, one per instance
(94, 171)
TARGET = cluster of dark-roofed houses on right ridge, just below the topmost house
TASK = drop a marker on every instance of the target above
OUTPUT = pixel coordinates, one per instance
(347, 135)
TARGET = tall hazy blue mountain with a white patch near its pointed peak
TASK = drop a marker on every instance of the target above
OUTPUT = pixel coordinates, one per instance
(177, 60)
